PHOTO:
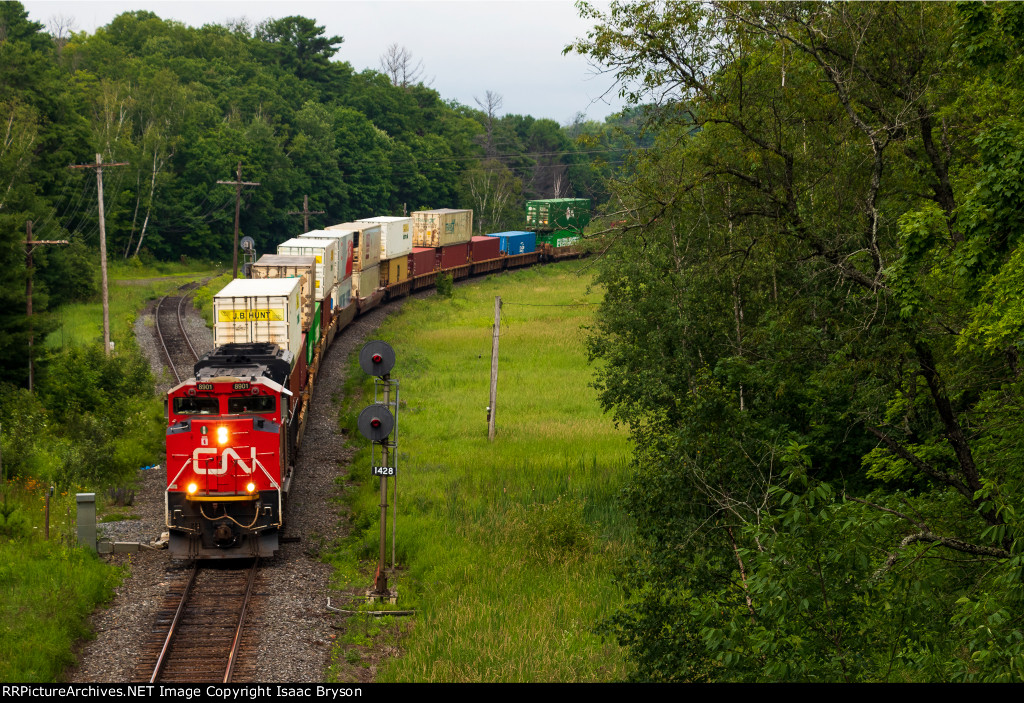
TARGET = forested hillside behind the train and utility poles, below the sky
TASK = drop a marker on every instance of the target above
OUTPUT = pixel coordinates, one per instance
(184, 106)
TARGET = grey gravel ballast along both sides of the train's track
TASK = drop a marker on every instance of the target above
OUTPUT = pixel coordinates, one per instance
(296, 625)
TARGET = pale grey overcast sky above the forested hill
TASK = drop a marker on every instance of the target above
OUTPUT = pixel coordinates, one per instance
(511, 48)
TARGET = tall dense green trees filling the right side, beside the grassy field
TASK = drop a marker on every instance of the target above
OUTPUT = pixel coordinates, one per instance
(814, 330)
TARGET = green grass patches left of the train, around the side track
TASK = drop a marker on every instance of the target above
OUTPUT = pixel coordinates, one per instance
(49, 589)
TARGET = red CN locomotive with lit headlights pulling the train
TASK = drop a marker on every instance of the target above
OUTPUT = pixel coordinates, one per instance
(231, 437)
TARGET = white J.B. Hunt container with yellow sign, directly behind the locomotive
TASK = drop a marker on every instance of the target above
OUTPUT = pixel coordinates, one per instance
(260, 311)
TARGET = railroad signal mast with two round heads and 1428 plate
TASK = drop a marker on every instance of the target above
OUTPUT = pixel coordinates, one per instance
(376, 423)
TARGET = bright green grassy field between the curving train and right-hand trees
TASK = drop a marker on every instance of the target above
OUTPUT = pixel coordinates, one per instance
(506, 550)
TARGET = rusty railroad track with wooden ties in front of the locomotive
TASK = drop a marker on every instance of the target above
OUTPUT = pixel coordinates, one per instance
(200, 634)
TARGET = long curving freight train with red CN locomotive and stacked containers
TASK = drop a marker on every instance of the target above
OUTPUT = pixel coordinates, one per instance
(234, 428)
